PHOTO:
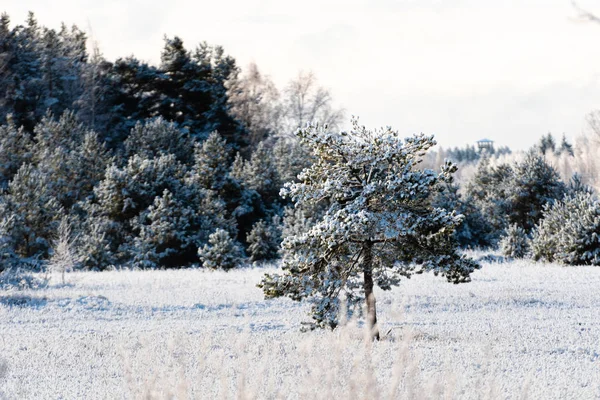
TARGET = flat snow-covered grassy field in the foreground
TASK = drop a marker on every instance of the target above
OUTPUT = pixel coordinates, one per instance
(519, 330)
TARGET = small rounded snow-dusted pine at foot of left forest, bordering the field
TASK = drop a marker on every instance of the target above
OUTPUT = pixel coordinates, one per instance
(221, 251)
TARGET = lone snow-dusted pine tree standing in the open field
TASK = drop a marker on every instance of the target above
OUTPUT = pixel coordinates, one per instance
(378, 225)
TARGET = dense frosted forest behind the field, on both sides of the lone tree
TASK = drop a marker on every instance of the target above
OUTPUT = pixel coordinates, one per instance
(179, 164)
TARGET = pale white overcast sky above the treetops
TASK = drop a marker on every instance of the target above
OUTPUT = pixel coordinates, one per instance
(508, 70)
